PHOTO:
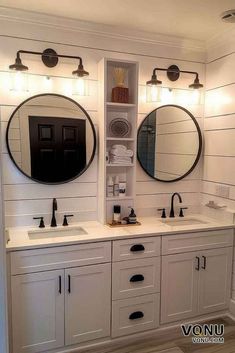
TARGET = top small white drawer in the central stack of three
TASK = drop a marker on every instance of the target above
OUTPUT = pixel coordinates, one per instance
(136, 248)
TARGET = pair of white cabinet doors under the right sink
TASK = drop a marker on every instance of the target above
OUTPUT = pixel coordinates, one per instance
(195, 283)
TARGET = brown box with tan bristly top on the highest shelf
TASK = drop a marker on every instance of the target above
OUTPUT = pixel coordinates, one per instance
(120, 93)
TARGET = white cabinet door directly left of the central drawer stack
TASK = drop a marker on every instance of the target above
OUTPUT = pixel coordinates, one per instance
(87, 303)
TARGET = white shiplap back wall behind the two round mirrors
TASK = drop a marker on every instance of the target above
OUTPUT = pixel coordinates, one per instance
(23, 198)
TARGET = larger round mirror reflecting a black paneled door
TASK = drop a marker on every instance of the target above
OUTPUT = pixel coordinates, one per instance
(51, 139)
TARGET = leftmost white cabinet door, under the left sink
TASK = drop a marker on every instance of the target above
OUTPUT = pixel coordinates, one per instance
(38, 311)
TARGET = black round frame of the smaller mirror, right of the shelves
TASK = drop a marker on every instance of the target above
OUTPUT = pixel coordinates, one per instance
(199, 148)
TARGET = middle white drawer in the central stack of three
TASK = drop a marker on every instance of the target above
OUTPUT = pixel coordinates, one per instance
(135, 277)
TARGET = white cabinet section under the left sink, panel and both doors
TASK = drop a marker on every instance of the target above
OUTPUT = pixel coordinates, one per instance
(59, 307)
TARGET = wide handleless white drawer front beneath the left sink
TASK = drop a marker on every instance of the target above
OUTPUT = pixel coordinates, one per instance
(36, 260)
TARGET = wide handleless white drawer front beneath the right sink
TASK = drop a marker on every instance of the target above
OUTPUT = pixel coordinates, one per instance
(175, 244)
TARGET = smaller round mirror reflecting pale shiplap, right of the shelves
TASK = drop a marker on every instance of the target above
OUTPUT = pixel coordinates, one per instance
(169, 143)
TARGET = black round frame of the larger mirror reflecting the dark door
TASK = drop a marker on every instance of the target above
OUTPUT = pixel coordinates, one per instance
(80, 107)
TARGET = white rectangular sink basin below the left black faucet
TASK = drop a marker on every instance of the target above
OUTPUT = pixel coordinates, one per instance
(56, 233)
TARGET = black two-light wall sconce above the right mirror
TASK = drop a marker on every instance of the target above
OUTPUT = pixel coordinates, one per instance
(173, 74)
